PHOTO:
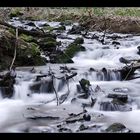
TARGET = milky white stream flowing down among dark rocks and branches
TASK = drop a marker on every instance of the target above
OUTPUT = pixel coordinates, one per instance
(17, 114)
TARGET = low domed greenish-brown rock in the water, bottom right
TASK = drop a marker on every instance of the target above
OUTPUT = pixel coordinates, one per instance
(115, 127)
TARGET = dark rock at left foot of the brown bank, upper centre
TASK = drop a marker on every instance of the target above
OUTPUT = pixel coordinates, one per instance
(76, 29)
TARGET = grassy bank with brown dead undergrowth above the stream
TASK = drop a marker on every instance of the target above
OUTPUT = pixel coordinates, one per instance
(121, 20)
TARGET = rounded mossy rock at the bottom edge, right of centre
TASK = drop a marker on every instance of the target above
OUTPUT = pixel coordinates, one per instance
(117, 127)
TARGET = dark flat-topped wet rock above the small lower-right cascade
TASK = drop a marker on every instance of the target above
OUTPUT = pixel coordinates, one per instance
(121, 97)
